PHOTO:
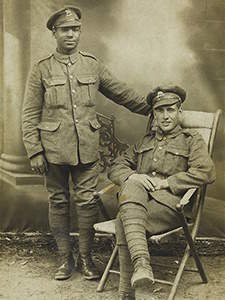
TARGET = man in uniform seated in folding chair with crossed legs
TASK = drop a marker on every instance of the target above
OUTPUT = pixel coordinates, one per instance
(153, 175)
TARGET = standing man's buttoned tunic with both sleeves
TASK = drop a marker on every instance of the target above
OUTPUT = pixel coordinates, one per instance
(59, 116)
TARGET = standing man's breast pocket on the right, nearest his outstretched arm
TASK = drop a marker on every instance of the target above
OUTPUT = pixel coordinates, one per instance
(88, 86)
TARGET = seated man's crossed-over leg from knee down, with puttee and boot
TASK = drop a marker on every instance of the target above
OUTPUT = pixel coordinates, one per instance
(133, 200)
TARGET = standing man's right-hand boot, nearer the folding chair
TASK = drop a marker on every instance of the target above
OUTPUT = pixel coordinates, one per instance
(86, 266)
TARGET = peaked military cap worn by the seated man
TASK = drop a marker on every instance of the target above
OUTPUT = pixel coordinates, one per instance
(166, 96)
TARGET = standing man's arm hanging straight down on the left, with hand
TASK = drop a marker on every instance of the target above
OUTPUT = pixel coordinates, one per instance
(31, 114)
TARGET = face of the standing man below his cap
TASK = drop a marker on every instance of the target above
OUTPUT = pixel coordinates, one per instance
(67, 38)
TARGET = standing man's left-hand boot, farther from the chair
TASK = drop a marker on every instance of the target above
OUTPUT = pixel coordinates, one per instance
(66, 267)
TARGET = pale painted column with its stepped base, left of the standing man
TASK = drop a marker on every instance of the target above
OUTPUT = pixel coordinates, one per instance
(14, 165)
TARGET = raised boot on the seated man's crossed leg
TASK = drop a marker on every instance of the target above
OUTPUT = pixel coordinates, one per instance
(143, 274)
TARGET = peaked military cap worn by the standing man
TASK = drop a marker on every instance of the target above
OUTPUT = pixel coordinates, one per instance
(64, 17)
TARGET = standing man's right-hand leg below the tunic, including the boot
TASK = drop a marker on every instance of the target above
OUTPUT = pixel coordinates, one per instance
(85, 181)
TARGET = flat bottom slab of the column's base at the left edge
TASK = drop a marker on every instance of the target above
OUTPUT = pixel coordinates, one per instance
(21, 178)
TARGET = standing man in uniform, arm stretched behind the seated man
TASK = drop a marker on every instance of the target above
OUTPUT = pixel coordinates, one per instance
(61, 132)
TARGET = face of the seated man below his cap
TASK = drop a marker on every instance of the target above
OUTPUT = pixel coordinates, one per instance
(167, 117)
